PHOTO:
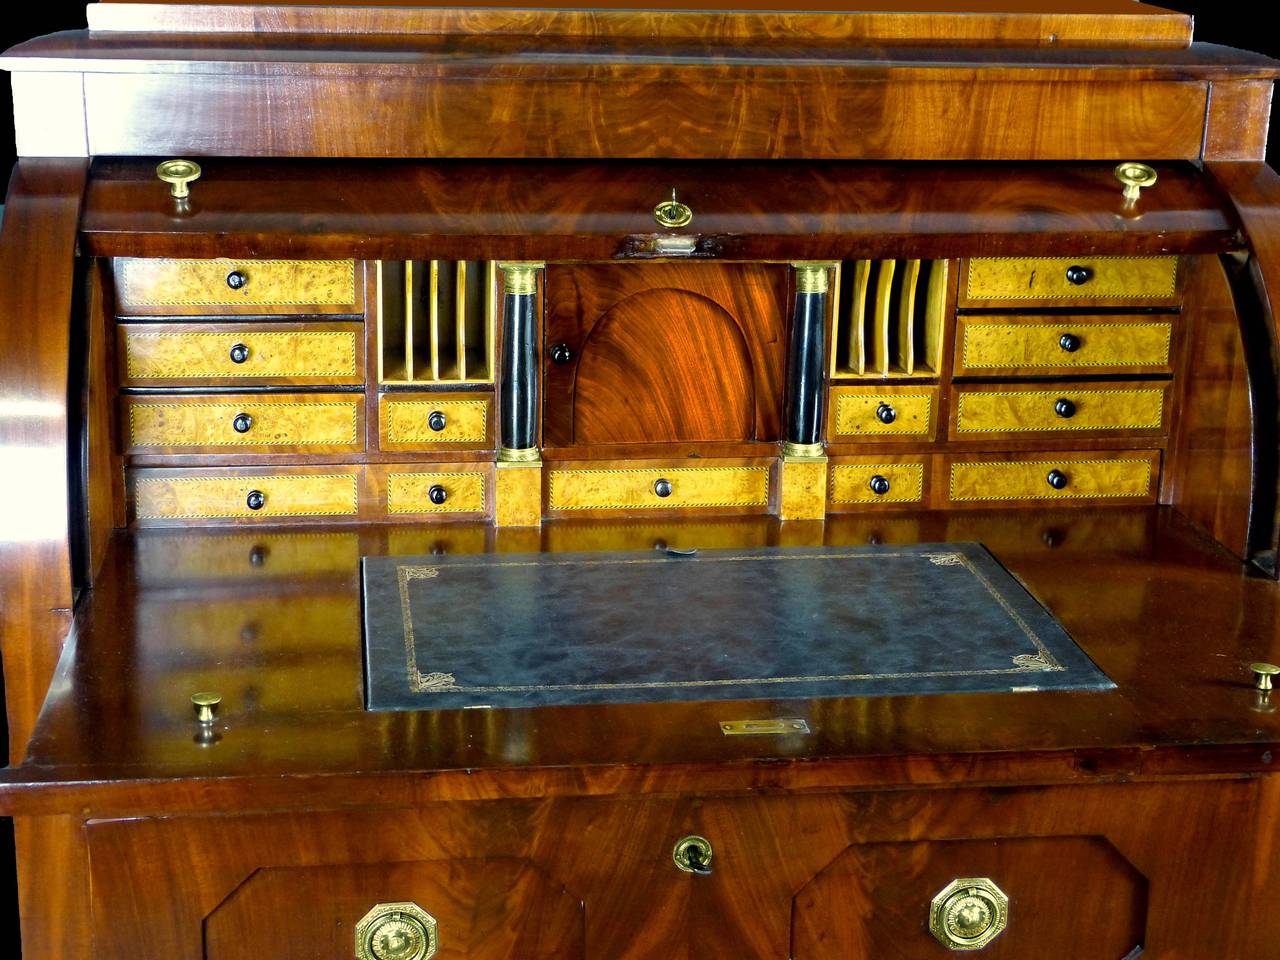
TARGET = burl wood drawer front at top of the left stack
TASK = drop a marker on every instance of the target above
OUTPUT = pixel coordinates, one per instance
(164, 286)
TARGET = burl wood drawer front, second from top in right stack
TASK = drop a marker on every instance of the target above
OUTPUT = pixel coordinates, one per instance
(1040, 346)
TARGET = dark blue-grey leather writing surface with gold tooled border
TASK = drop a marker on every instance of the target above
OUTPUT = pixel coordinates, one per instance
(510, 630)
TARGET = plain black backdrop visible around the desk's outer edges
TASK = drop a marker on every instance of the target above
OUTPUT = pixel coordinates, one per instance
(1215, 22)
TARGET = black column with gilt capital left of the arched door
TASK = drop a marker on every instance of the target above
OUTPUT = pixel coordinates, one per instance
(520, 382)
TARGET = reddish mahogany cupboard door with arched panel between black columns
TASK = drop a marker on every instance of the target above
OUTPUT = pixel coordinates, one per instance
(664, 354)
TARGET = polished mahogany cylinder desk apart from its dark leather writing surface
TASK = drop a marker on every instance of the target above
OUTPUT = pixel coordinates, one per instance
(482, 282)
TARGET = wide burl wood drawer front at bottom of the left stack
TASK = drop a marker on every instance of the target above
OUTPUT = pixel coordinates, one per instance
(328, 492)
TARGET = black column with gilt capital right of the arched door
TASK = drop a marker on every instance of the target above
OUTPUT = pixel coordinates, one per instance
(803, 424)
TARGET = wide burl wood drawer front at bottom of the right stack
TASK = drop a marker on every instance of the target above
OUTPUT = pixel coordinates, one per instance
(1014, 479)
